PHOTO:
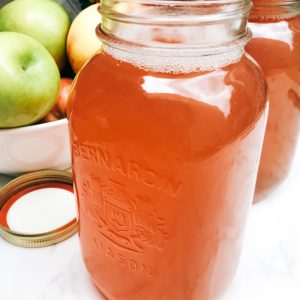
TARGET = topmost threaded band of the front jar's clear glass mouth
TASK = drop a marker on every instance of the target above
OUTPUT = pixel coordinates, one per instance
(138, 11)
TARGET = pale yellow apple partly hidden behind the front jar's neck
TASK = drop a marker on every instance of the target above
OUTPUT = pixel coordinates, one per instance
(82, 41)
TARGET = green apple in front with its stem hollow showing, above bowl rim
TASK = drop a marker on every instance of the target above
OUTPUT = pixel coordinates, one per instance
(29, 80)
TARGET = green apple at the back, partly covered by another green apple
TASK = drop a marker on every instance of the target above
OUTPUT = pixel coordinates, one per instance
(44, 20)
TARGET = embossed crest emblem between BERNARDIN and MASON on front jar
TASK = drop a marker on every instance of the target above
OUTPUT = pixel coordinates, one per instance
(128, 220)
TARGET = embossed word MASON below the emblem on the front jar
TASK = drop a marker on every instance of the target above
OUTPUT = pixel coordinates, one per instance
(113, 255)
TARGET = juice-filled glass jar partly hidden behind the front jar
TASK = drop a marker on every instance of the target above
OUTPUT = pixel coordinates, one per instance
(276, 47)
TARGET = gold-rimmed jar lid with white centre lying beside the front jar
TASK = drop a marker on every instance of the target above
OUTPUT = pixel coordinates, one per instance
(31, 190)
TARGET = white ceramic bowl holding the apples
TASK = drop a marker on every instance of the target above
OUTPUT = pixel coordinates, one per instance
(35, 147)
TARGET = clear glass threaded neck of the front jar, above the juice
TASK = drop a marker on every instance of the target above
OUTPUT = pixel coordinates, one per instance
(167, 28)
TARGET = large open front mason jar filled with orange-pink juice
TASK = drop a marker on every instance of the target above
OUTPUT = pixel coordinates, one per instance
(166, 126)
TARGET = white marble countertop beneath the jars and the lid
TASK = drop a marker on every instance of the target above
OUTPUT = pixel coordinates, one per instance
(269, 268)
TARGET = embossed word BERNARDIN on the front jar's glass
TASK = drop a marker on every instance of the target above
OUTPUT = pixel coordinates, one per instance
(130, 169)
